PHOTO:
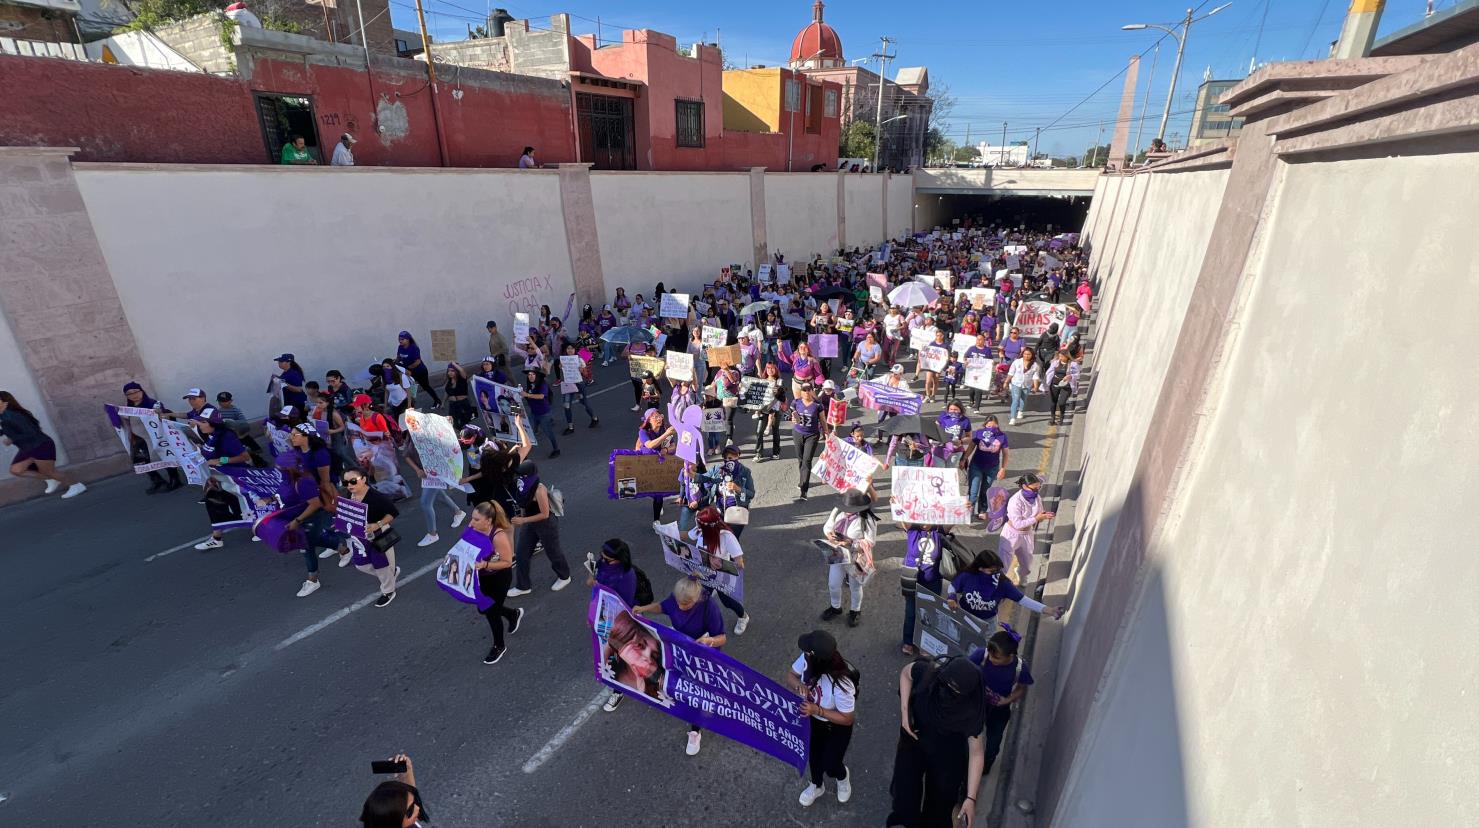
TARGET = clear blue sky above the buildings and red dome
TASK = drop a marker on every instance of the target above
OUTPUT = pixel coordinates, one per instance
(1020, 66)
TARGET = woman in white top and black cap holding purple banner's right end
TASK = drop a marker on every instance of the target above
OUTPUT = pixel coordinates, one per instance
(829, 690)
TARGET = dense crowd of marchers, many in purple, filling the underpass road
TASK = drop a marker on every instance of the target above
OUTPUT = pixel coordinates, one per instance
(754, 369)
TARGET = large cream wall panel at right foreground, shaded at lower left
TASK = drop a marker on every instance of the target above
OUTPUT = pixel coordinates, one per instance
(1316, 567)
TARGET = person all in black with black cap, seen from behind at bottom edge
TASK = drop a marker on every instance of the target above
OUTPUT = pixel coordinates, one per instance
(943, 715)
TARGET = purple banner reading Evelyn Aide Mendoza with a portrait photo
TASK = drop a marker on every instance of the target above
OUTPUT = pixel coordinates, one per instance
(694, 684)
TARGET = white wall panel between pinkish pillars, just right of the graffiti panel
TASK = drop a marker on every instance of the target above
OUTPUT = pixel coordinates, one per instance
(674, 228)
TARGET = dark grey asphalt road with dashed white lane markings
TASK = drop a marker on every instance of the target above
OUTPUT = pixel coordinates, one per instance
(149, 684)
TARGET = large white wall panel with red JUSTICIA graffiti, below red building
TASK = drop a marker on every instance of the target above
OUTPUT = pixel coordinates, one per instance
(220, 271)
